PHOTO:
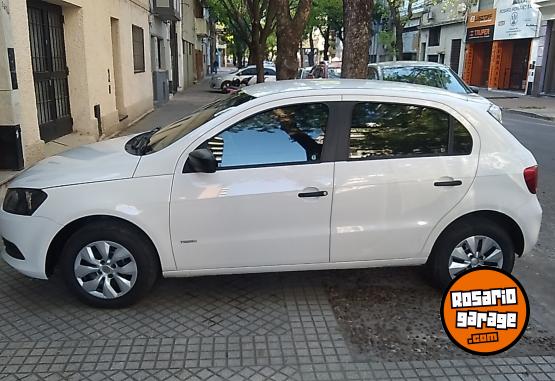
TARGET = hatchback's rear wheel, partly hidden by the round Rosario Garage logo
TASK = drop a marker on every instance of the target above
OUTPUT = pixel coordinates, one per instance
(469, 244)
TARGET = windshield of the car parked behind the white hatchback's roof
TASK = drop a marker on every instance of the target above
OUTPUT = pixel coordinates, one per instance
(442, 78)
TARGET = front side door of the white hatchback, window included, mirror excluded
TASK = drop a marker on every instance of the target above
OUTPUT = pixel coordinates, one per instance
(269, 201)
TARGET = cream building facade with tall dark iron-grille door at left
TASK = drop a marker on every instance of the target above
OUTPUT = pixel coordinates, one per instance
(71, 66)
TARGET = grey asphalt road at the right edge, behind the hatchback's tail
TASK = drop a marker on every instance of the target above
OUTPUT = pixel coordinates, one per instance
(537, 270)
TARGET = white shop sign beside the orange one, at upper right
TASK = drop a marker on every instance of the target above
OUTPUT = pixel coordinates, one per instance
(516, 19)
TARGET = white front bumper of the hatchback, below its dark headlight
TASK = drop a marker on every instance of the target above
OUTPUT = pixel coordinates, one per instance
(32, 236)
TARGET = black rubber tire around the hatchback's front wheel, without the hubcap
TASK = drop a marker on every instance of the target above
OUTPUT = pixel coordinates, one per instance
(141, 249)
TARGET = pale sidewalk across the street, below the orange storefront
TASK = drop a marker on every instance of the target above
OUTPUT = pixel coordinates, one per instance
(536, 107)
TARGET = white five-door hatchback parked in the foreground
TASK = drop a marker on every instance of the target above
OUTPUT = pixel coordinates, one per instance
(294, 175)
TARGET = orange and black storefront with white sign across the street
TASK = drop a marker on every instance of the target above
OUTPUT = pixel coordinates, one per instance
(502, 45)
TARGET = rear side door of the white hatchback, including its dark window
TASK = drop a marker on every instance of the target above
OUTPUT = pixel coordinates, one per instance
(404, 167)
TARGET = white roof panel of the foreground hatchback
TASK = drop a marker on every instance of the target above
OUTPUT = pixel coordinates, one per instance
(342, 86)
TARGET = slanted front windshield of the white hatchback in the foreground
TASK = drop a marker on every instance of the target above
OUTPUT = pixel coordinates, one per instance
(175, 131)
